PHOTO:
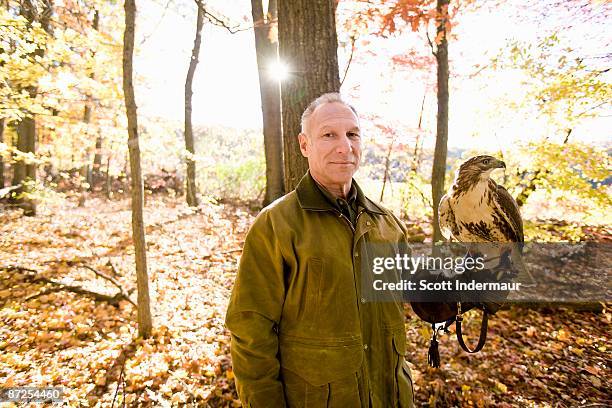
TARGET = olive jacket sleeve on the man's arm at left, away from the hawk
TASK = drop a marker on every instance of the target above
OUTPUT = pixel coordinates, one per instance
(253, 315)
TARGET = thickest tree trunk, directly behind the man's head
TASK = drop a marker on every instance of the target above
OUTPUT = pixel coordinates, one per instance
(308, 44)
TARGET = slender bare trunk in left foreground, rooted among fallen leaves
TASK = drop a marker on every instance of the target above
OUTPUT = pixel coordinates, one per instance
(137, 189)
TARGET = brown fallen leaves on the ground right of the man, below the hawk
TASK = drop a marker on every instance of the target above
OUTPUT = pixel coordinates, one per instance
(531, 359)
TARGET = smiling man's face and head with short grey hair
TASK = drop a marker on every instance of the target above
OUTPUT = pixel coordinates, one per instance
(332, 144)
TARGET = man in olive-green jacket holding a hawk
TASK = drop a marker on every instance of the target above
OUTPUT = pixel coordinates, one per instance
(303, 335)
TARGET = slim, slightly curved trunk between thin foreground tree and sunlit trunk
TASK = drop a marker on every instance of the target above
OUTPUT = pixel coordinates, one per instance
(191, 192)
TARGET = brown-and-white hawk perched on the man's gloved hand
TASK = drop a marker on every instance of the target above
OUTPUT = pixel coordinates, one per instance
(477, 210)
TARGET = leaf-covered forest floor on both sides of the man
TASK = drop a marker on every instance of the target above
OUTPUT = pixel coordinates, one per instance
(52, 336)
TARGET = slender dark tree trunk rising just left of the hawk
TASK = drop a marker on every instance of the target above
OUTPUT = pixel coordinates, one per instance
(439, 164)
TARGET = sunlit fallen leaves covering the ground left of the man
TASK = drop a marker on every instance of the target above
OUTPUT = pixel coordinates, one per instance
(70, 340)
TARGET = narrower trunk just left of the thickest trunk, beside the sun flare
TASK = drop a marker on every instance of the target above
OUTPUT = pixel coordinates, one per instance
(269, 89)
